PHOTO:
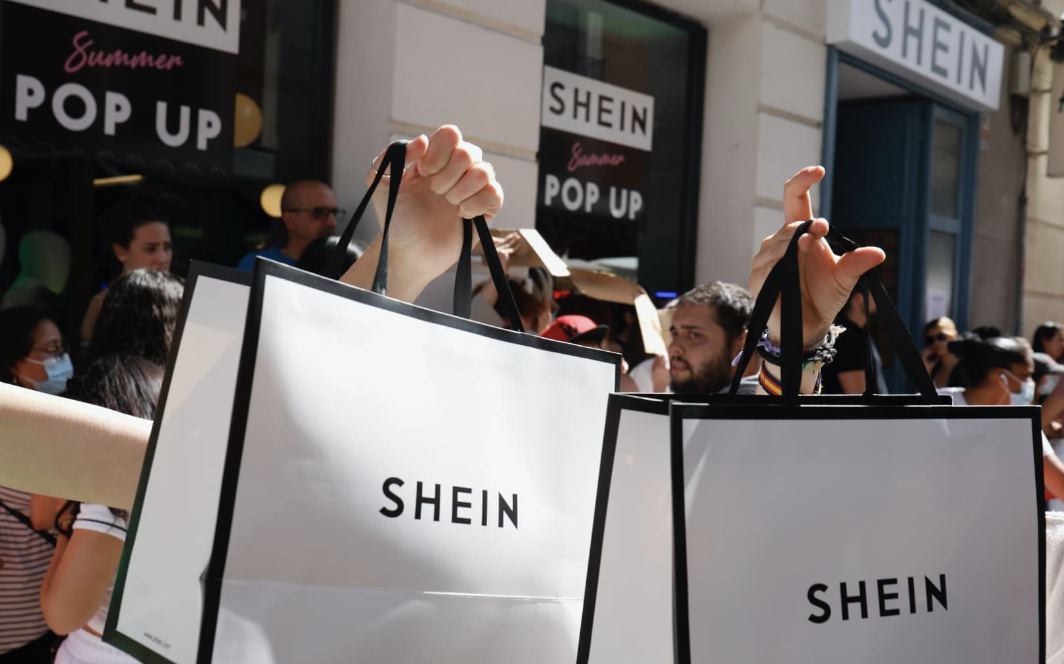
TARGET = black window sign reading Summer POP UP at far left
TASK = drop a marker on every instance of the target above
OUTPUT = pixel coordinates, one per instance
(70, 84)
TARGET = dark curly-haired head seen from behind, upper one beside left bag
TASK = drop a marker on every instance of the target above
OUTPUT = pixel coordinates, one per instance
(139, 317)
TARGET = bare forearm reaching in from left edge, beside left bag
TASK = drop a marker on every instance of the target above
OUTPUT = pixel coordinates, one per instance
(60, 447)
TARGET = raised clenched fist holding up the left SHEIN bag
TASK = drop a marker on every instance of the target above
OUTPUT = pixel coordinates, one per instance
(446, 180)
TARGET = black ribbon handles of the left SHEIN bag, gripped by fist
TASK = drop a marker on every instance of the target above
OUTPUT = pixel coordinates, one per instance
(395, 162)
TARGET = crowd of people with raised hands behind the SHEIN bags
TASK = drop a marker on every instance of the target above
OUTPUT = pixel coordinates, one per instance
(59, 557)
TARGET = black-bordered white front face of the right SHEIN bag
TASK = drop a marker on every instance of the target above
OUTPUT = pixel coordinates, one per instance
(869, 535)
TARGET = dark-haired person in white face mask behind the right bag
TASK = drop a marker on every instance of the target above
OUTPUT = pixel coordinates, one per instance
(999, 372)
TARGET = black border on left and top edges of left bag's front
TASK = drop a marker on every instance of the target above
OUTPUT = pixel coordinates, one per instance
(264, 269)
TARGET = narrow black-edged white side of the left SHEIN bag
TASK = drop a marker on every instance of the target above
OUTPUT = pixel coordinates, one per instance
(157, 607)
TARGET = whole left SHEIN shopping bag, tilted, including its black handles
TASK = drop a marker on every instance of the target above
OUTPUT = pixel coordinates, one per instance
(397, 483)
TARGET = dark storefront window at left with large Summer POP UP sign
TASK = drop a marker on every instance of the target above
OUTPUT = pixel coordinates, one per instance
(193, 107)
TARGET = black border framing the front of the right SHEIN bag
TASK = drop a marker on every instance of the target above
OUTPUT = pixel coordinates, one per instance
(683, 412)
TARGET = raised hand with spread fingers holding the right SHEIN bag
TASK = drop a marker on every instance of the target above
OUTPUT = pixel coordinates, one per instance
(826, 279)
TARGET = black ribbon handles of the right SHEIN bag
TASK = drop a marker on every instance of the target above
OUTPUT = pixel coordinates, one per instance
(784, 284)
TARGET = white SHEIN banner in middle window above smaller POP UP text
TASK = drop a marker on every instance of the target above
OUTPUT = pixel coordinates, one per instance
(589, 108)
